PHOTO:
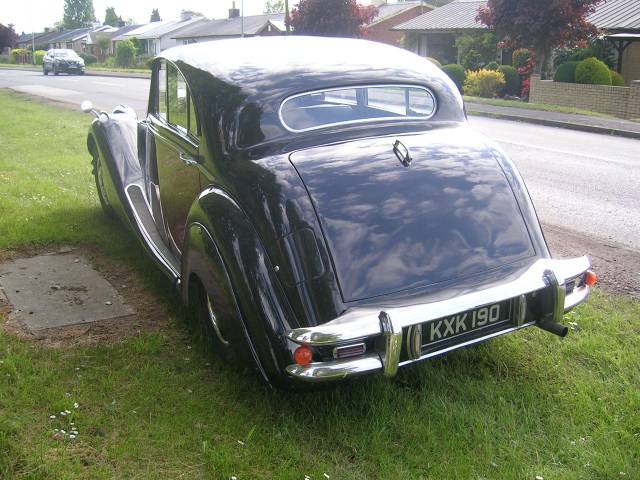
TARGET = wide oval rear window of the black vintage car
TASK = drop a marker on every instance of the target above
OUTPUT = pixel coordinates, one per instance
(324, 108)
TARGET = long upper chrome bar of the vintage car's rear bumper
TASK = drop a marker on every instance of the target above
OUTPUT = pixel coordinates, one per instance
(360, 323)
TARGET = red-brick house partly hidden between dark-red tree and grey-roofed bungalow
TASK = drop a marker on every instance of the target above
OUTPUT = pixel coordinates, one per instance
(390, 15)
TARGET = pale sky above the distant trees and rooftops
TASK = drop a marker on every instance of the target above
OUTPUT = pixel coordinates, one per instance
(30, 15)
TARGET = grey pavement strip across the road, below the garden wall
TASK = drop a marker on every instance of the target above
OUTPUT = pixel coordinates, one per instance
(572, 121)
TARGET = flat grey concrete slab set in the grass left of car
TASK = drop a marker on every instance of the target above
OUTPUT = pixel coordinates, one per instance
(58, 290)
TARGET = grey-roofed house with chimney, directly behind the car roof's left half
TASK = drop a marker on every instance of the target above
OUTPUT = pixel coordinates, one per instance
(234, 26)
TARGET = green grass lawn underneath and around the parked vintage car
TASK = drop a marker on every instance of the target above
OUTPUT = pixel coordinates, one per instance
(158, 406)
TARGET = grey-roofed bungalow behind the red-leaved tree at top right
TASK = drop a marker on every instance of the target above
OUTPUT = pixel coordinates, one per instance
(433, 34)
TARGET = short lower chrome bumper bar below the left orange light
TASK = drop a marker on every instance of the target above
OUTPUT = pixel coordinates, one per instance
(335, 369)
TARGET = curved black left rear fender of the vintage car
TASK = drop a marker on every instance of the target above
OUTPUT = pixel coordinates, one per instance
(218, 228)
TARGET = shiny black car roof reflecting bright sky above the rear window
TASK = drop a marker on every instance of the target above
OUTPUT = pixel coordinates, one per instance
(297, 63)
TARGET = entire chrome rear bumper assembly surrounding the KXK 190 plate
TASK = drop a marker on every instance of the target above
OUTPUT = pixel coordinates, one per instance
(383, 339)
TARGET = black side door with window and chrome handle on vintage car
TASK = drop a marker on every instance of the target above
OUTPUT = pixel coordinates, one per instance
(175, 137)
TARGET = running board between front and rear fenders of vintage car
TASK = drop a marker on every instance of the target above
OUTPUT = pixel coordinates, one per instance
(144, 224)
